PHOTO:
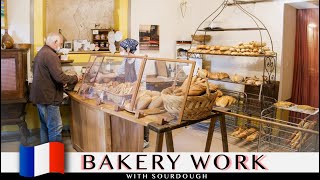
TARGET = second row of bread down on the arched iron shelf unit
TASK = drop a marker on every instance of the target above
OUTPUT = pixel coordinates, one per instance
(237, 79)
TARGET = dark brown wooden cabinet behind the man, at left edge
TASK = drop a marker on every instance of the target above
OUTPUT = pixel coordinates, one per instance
(14, 94)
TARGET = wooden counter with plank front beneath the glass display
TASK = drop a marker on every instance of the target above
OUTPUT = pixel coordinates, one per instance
(98, 128)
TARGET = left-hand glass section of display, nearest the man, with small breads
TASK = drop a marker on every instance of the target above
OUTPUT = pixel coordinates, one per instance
(112, 79)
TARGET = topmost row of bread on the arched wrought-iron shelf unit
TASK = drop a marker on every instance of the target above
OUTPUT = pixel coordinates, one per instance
(250, 49)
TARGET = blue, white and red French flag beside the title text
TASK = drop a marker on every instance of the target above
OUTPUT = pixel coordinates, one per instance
(42, 159)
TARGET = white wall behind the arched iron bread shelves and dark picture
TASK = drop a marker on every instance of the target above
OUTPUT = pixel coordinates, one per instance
(173, 27)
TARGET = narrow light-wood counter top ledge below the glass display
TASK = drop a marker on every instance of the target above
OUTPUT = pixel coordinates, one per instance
(109, 109)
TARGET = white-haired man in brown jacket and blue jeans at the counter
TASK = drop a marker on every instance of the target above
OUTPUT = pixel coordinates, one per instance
(47, 88)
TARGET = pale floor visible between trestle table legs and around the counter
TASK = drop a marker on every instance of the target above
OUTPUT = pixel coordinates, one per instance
(185, 140)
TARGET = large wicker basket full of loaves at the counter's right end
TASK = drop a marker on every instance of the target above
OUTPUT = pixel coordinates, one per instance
(197, 107)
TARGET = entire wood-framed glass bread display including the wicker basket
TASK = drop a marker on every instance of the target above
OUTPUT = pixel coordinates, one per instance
(146, 86)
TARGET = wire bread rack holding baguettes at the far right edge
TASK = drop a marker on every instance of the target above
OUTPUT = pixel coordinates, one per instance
(285, 138)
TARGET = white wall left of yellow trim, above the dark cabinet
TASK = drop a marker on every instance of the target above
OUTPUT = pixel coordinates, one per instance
(19, 24)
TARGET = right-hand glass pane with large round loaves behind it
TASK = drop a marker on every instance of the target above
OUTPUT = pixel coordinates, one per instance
(160, 91)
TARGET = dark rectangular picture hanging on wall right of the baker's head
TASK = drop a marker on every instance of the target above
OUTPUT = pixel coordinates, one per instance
(149, 37)
